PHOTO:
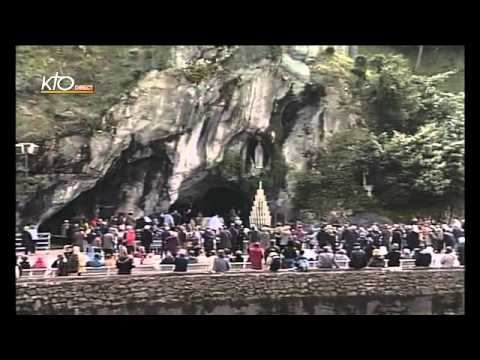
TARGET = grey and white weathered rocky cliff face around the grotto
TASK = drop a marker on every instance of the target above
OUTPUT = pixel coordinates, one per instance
(162, 143)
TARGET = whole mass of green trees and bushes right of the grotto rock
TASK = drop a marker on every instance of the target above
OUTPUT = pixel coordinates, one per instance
(413, 149)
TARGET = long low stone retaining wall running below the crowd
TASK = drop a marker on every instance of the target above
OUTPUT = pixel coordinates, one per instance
(381, 291)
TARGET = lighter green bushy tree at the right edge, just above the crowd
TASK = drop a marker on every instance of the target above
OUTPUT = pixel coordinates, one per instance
(424, 169)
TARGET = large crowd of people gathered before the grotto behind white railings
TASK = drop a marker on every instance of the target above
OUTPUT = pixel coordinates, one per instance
(182, 238)
